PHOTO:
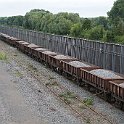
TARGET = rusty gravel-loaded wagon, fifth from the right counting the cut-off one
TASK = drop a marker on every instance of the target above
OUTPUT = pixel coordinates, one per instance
(47, 55)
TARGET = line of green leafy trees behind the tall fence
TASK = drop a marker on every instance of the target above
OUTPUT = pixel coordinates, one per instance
(107, 29)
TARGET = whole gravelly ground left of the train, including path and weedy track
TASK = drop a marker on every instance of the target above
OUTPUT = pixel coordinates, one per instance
(32, 93)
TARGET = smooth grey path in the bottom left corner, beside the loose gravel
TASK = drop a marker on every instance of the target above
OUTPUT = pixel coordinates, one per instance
(13, 109)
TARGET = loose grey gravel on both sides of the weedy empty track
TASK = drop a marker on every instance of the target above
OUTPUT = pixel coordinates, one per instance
(43, 103)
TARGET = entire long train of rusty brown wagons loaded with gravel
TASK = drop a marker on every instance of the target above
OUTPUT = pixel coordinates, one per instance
(108, 84)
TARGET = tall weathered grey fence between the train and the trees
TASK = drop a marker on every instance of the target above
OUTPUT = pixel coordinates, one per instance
(106, 55)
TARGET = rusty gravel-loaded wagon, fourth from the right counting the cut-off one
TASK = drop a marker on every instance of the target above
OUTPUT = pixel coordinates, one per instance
(57, 61)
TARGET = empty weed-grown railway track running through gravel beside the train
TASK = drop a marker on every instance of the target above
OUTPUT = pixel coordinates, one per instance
(80, 113)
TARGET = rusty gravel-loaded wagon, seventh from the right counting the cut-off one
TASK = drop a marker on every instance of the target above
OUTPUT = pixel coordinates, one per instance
(29, 49)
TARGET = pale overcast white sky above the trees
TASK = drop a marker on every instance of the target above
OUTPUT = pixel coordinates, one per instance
(85, 8)
